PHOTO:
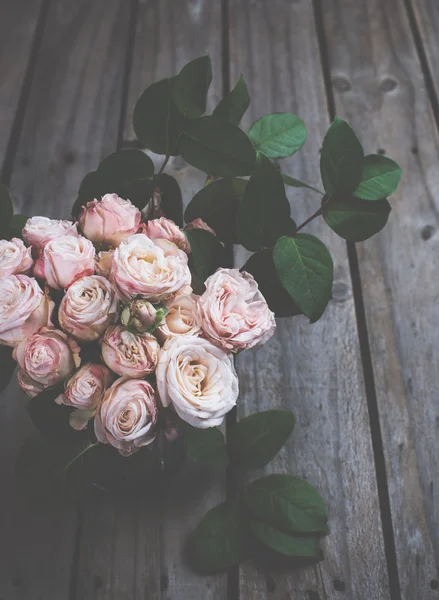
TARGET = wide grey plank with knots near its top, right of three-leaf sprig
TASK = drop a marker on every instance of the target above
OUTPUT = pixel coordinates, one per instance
(379, 87)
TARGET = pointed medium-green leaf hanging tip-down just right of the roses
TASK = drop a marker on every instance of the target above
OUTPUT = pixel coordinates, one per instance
(305, 268)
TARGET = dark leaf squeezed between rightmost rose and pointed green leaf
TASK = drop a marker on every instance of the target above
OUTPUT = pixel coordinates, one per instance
(261, 266)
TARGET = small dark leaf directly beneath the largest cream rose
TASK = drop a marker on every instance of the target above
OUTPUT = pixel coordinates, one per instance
(205, 446)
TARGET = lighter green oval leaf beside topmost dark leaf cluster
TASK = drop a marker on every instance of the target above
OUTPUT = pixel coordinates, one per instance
(278, 135)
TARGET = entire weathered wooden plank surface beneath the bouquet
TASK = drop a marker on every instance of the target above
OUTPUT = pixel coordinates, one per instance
(363, 381)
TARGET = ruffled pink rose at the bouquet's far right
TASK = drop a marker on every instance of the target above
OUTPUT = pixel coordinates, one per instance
(234, 313)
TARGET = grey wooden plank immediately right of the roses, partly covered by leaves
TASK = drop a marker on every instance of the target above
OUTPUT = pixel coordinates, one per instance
(313, 370)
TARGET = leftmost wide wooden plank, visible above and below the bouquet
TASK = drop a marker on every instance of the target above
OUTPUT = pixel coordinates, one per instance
(71, 121)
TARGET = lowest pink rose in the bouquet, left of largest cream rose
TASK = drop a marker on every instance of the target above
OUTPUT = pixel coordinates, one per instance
(127, 415)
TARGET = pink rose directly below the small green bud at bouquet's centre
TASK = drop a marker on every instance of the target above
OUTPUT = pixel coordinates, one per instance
(129, 354)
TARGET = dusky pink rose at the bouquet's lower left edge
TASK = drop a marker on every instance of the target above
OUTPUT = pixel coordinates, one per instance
(45, 359)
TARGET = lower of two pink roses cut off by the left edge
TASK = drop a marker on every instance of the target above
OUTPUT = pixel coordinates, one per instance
(24, 308)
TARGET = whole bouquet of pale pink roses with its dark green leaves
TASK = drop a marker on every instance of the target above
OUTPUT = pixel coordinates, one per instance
(124, 322)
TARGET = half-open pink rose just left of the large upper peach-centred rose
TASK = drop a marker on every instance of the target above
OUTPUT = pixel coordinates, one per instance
(64, 260)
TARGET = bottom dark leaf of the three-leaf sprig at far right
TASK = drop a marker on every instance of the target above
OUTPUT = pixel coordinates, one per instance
(356, 220)
